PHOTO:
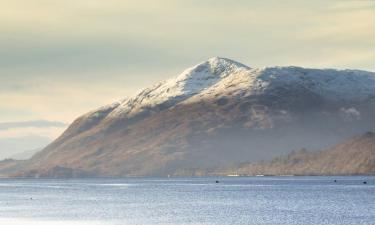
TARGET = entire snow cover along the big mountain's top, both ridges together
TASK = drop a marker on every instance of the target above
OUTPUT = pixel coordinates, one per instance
(221, 76)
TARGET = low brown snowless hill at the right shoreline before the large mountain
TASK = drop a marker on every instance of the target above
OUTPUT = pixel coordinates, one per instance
(355, 156)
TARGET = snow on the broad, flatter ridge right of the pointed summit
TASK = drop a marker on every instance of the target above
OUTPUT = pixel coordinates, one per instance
(344, 85)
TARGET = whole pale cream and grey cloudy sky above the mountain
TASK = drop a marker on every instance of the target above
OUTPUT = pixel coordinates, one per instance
(62, 58)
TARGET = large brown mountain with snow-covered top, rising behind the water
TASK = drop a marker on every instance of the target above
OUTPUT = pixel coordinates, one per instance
(217, 113)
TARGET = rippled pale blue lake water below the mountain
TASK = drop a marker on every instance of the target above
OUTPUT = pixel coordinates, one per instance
(235, 200)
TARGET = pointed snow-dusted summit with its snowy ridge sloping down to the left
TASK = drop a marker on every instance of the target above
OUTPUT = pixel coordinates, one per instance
(191, 81)
